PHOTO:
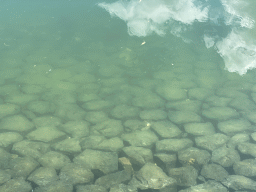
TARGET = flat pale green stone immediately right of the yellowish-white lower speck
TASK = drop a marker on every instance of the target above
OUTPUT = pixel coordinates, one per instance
(166, 129)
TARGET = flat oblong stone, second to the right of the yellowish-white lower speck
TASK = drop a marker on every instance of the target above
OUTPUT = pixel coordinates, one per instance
(199, 129)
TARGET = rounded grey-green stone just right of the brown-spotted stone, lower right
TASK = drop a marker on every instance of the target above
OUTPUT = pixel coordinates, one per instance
(224, 156)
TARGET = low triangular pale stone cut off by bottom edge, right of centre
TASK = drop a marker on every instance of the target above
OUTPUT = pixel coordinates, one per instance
(210, 185)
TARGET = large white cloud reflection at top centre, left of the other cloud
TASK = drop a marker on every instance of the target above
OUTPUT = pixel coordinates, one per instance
(144, 17)
